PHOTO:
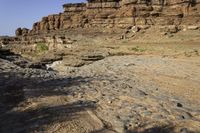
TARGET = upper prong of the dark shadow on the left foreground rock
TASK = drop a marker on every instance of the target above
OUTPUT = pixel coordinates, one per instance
(14, 88)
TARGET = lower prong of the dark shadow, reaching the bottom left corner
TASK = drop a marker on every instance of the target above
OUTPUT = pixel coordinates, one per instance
(37, 119)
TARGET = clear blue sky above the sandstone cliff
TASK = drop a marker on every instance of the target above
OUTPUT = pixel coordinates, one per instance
(23, 13)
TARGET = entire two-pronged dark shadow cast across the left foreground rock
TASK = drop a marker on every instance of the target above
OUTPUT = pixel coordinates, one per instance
(15, 89)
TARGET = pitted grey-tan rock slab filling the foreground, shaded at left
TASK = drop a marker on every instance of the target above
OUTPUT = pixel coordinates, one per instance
(116, 94)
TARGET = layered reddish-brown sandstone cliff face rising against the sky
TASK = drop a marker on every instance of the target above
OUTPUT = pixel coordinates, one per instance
(119, 14)
